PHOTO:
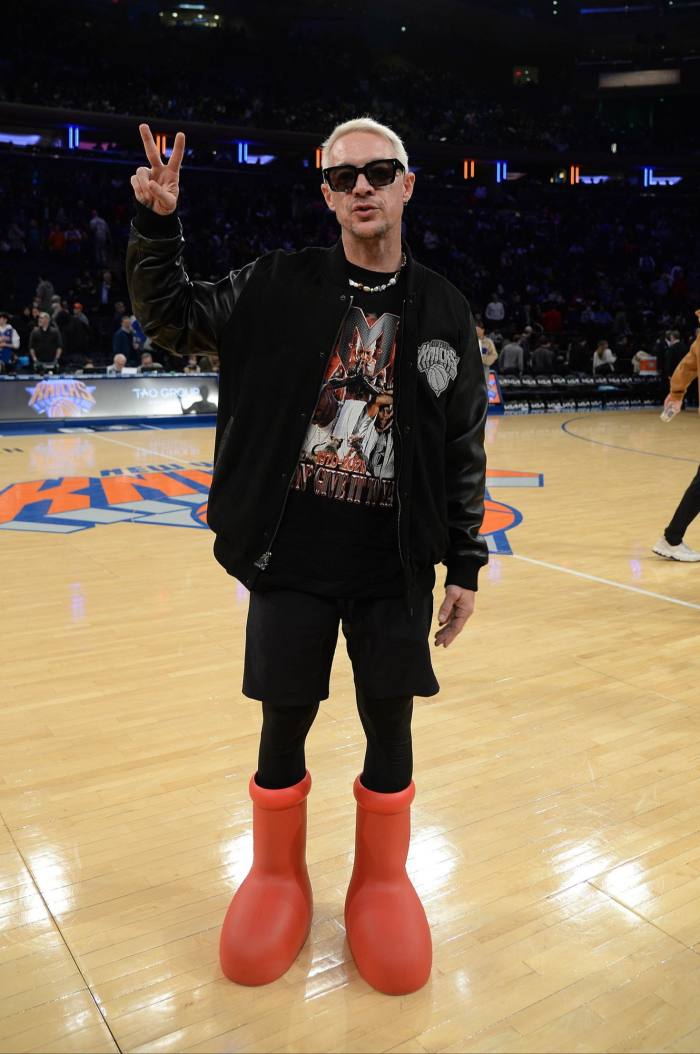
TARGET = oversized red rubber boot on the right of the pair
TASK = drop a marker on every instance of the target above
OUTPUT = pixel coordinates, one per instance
(385, 922)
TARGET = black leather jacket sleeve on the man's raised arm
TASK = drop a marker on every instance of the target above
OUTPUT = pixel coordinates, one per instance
(179, 315)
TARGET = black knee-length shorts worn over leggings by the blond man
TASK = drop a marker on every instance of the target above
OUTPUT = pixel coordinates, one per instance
(291, 638)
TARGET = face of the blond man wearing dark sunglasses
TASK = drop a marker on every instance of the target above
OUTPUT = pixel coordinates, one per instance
(365, 212)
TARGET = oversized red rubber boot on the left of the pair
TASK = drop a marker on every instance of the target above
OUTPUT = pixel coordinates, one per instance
(269, 919)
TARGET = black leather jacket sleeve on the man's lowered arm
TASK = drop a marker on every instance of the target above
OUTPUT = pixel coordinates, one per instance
(465, 465)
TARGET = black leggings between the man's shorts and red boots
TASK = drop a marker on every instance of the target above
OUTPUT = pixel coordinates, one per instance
(388, 759)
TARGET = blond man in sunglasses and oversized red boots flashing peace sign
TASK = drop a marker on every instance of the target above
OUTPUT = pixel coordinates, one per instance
(319, 539)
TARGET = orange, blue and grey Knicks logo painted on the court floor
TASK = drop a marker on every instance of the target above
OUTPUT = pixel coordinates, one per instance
(176, 496)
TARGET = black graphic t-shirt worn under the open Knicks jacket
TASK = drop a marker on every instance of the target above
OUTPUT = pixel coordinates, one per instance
(339, 536)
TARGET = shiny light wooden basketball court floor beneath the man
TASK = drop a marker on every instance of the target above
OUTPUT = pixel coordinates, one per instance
(556, 827)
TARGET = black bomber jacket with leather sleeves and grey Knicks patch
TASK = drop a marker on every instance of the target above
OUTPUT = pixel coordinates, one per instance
(274, 324)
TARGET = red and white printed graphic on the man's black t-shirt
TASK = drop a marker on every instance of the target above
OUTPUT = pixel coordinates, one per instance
(348, 452)
